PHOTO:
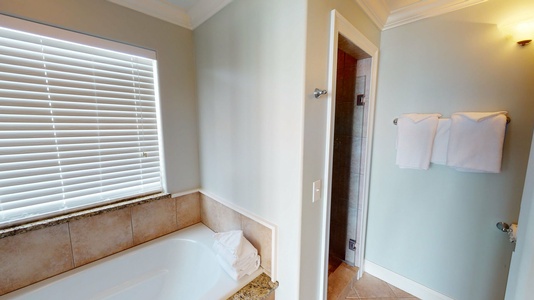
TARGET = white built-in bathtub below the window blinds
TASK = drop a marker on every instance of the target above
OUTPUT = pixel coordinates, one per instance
(181, 265)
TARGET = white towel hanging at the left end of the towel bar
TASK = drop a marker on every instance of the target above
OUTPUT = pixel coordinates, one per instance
(415, 136)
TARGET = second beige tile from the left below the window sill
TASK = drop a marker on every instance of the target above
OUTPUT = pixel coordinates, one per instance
(101, 235)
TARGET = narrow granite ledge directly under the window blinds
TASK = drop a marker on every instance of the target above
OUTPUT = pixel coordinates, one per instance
(81, 214)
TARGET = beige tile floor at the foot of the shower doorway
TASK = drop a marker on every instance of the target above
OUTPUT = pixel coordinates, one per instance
(342, 284)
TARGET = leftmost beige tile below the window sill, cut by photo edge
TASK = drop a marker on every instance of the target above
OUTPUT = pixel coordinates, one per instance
(33, 256)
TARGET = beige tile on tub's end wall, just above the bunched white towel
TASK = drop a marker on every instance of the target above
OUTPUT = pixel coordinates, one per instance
(217, 216)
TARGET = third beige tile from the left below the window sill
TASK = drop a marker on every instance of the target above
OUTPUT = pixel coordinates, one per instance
(153, 219)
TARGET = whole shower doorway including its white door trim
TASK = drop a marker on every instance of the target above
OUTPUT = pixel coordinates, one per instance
(348, 158)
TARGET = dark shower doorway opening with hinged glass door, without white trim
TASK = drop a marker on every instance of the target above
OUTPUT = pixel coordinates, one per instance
(348, 162)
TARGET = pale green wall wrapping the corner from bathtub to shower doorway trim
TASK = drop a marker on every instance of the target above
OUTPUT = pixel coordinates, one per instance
(257, 64)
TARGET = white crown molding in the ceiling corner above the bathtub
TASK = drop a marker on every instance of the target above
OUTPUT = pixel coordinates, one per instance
(164, 10)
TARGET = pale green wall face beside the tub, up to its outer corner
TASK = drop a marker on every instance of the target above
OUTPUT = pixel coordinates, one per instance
(250, 65)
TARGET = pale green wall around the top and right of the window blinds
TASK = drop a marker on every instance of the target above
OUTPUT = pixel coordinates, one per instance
(174, 50)
